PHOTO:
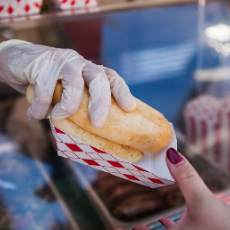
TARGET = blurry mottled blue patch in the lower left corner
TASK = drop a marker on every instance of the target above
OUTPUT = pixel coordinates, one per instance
(19, 181)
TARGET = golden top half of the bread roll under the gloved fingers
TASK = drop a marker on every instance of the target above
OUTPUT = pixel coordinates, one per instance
(143, 129)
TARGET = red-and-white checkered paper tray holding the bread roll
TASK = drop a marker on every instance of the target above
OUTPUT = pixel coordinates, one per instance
(150, 171)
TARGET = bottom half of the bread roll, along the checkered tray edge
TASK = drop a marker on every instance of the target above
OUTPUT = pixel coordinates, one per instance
(124, 152)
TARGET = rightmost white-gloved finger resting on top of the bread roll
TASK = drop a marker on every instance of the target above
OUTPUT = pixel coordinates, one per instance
(120, 90)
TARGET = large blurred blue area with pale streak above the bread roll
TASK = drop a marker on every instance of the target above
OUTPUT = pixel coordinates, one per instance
(154, 50)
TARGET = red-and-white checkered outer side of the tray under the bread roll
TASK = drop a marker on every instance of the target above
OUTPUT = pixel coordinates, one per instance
(78, 151)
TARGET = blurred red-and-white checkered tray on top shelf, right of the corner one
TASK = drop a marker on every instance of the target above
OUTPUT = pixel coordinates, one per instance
(73, 4)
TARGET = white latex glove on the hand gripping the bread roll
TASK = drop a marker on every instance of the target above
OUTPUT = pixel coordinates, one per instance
(23, 63)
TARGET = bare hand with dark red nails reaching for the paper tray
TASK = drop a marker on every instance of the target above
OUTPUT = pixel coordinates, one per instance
(203, 210)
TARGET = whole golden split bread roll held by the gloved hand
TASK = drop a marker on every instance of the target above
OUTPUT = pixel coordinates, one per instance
(126, 135)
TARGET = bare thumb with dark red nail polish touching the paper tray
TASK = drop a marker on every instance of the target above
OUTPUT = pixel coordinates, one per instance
(186, 177)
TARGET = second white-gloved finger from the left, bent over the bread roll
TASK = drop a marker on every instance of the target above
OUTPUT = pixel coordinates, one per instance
(72, 95)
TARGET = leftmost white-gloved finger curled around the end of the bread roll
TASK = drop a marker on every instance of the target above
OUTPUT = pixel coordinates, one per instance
(41, 104)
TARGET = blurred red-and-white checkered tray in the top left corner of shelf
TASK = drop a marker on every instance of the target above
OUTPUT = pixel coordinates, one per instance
(14, 8)
